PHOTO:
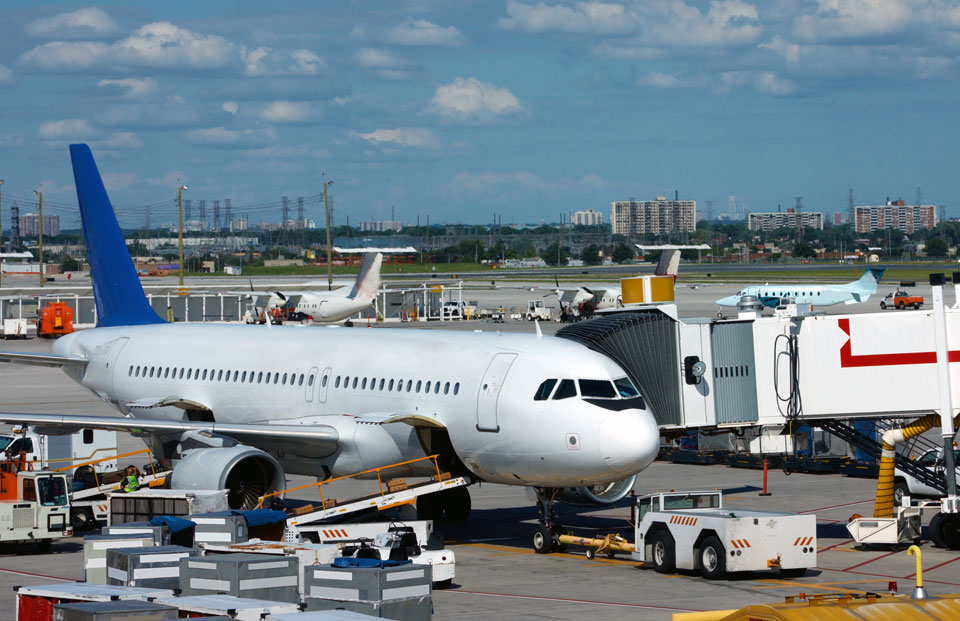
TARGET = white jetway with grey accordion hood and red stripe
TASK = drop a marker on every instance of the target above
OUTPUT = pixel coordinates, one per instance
(795, 367)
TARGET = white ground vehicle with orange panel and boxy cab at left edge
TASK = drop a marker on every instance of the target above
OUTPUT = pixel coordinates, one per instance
(34, 505)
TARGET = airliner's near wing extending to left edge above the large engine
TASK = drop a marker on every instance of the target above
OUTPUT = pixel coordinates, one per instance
(307, 440)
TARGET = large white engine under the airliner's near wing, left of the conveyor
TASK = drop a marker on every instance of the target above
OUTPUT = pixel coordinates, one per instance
(247, 473)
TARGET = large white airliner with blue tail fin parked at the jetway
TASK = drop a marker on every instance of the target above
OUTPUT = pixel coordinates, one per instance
(235, 407)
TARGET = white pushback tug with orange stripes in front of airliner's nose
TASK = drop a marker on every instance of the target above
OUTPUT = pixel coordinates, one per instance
(692, 530)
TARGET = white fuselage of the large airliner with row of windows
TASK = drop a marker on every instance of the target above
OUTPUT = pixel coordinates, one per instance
(481, 387)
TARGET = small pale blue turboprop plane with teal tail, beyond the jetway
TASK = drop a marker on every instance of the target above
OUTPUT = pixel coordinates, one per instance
(770, 295)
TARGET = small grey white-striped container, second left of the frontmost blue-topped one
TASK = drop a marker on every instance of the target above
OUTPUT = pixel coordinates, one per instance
(157, 567)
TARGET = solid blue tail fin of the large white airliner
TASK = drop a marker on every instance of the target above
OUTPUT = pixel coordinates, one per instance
(116, 287)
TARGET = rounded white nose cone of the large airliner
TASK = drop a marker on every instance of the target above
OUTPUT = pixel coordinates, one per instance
(629, 441)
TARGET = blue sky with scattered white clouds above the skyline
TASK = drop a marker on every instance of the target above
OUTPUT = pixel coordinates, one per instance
(459, 110)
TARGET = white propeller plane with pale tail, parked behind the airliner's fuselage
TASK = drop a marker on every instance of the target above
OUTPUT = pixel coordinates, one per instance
(327, 306)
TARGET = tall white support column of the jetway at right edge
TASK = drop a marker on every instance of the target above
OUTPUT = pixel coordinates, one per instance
(947, 429)
